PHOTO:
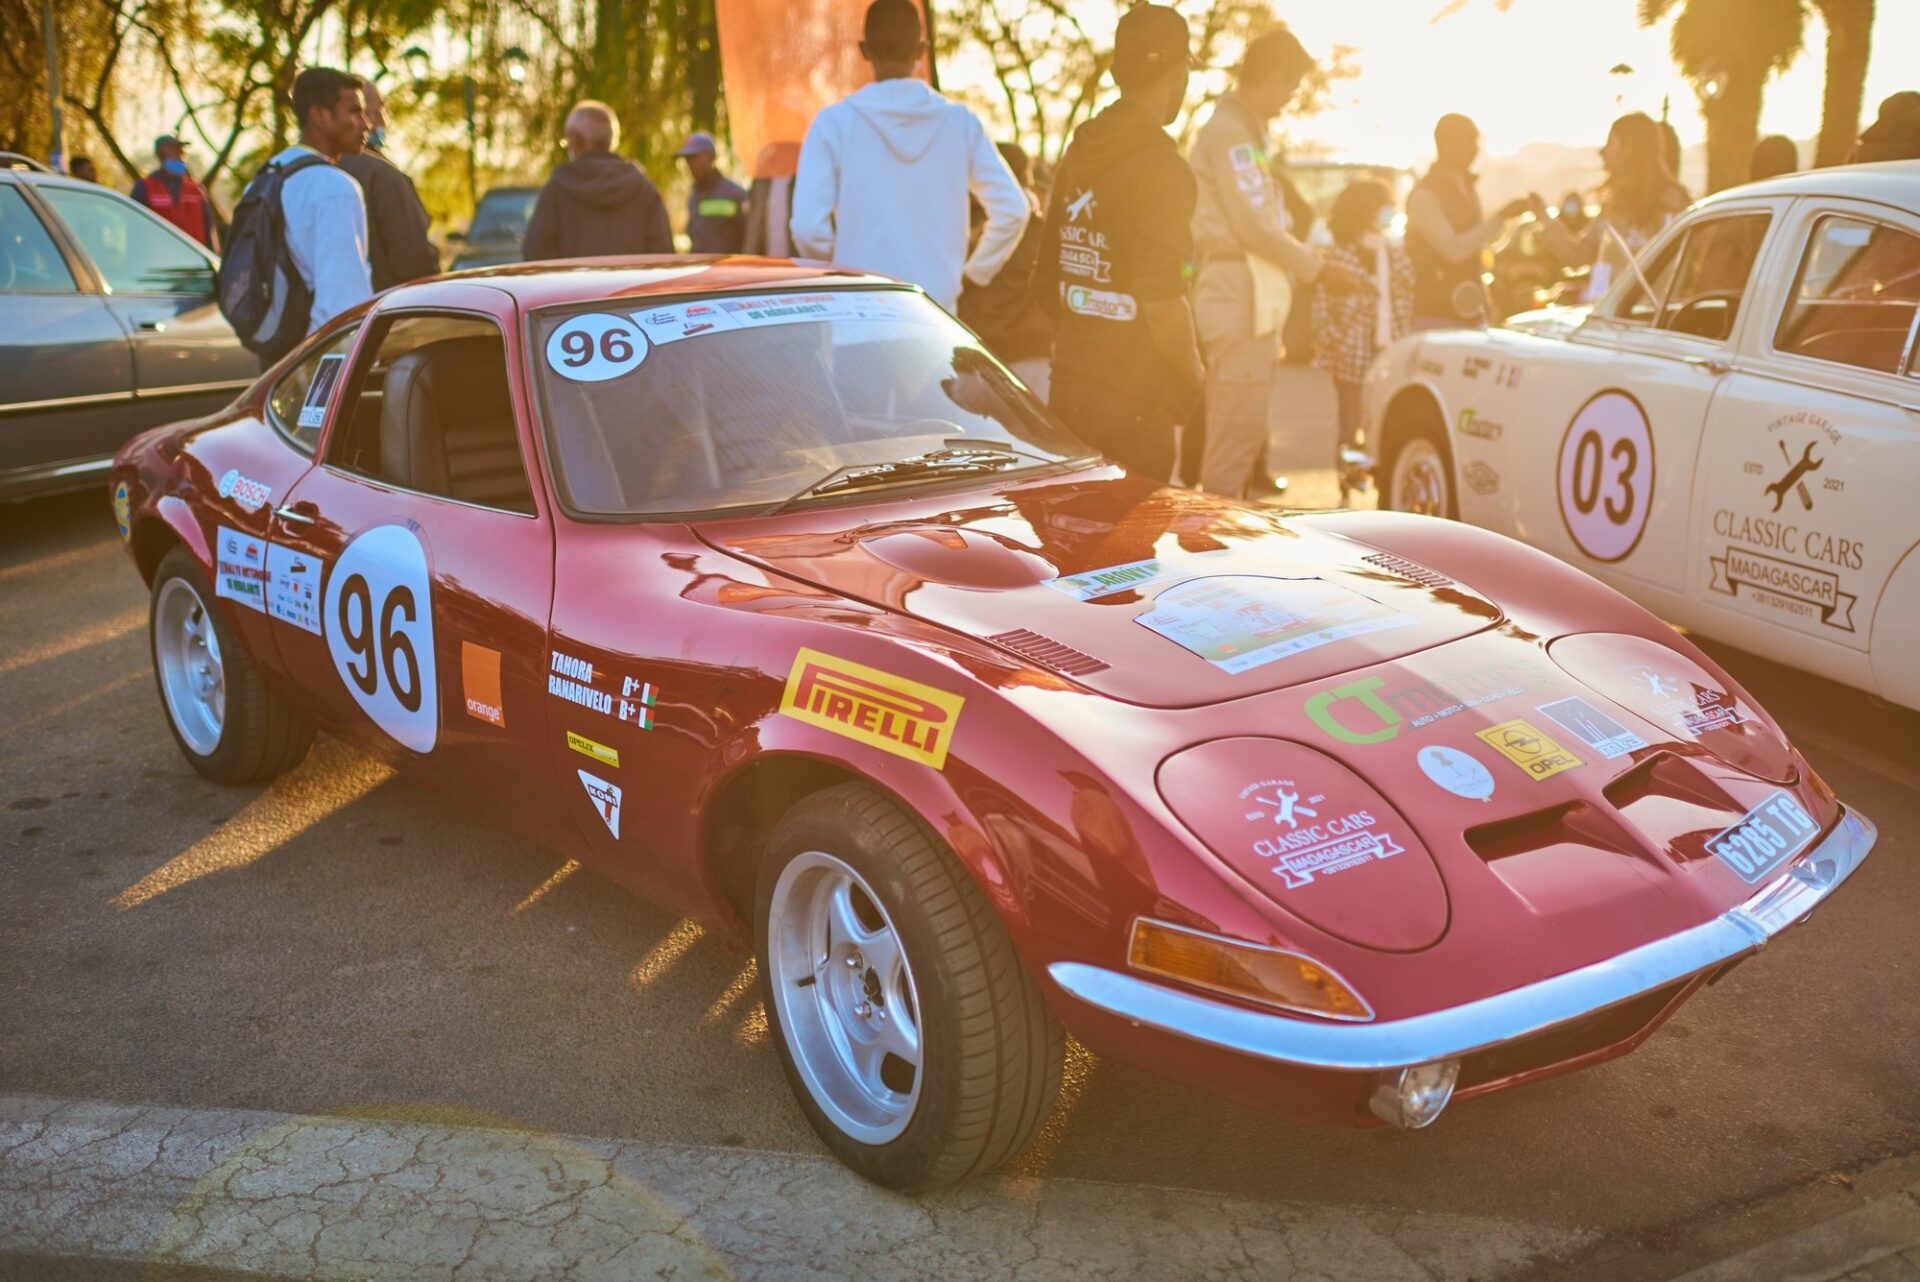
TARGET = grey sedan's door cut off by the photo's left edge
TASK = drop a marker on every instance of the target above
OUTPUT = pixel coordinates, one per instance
(66, 366)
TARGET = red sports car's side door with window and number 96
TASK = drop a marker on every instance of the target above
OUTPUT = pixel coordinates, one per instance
(416, 619)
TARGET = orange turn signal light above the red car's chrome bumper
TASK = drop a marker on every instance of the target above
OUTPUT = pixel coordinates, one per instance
(1251, 972)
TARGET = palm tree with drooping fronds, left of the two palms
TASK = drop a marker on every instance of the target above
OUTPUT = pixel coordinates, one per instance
(1729, 51)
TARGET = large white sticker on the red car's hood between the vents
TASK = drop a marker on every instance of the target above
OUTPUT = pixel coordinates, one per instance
(1243, 623)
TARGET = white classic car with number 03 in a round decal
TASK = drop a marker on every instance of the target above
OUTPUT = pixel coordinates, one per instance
(1731, 437)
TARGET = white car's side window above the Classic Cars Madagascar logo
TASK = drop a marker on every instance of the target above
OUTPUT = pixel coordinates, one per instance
(1856, 297)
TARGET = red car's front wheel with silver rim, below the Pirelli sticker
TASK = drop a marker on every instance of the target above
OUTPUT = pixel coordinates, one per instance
(911, 1033)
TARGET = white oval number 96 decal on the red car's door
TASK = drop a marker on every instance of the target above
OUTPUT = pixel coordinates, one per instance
(379, 621)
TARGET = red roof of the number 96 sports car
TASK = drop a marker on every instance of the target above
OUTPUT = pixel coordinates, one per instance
(579, 281)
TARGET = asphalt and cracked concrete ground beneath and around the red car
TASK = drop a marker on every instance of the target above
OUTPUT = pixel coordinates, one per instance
(354, 1030)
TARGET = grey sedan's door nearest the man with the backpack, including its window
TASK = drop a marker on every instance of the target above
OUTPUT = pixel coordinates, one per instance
(160, 285)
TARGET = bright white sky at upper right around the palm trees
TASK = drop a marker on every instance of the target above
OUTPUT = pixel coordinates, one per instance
(1541, 74)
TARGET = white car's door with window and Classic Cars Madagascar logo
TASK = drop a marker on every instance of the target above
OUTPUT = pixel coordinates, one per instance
(1813, 448)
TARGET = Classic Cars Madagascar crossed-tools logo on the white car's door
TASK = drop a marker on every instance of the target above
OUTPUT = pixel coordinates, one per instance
(1783, 554)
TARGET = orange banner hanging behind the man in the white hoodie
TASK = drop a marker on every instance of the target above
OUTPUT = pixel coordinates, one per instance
(782, 60)
